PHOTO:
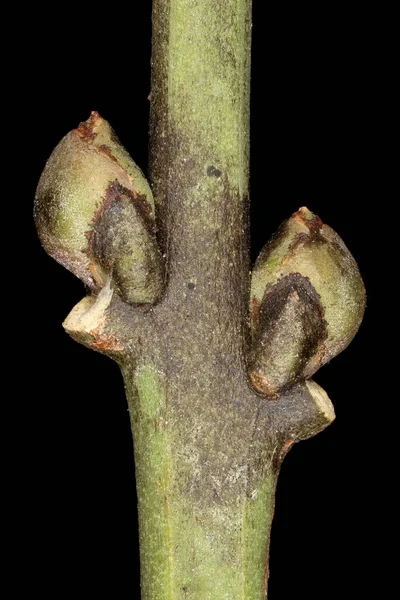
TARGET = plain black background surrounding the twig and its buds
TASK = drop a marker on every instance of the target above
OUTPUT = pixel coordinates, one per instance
(314, 142)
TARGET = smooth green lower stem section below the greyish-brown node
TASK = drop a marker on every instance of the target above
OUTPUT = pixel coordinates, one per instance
(191, 550)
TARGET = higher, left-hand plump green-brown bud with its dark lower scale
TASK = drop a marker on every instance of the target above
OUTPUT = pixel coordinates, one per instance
(86, 181)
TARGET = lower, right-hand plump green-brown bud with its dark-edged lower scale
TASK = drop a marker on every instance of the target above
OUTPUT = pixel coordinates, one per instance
(307, 302)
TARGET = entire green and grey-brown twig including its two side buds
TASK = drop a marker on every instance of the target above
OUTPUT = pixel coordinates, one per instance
(208, 446)
